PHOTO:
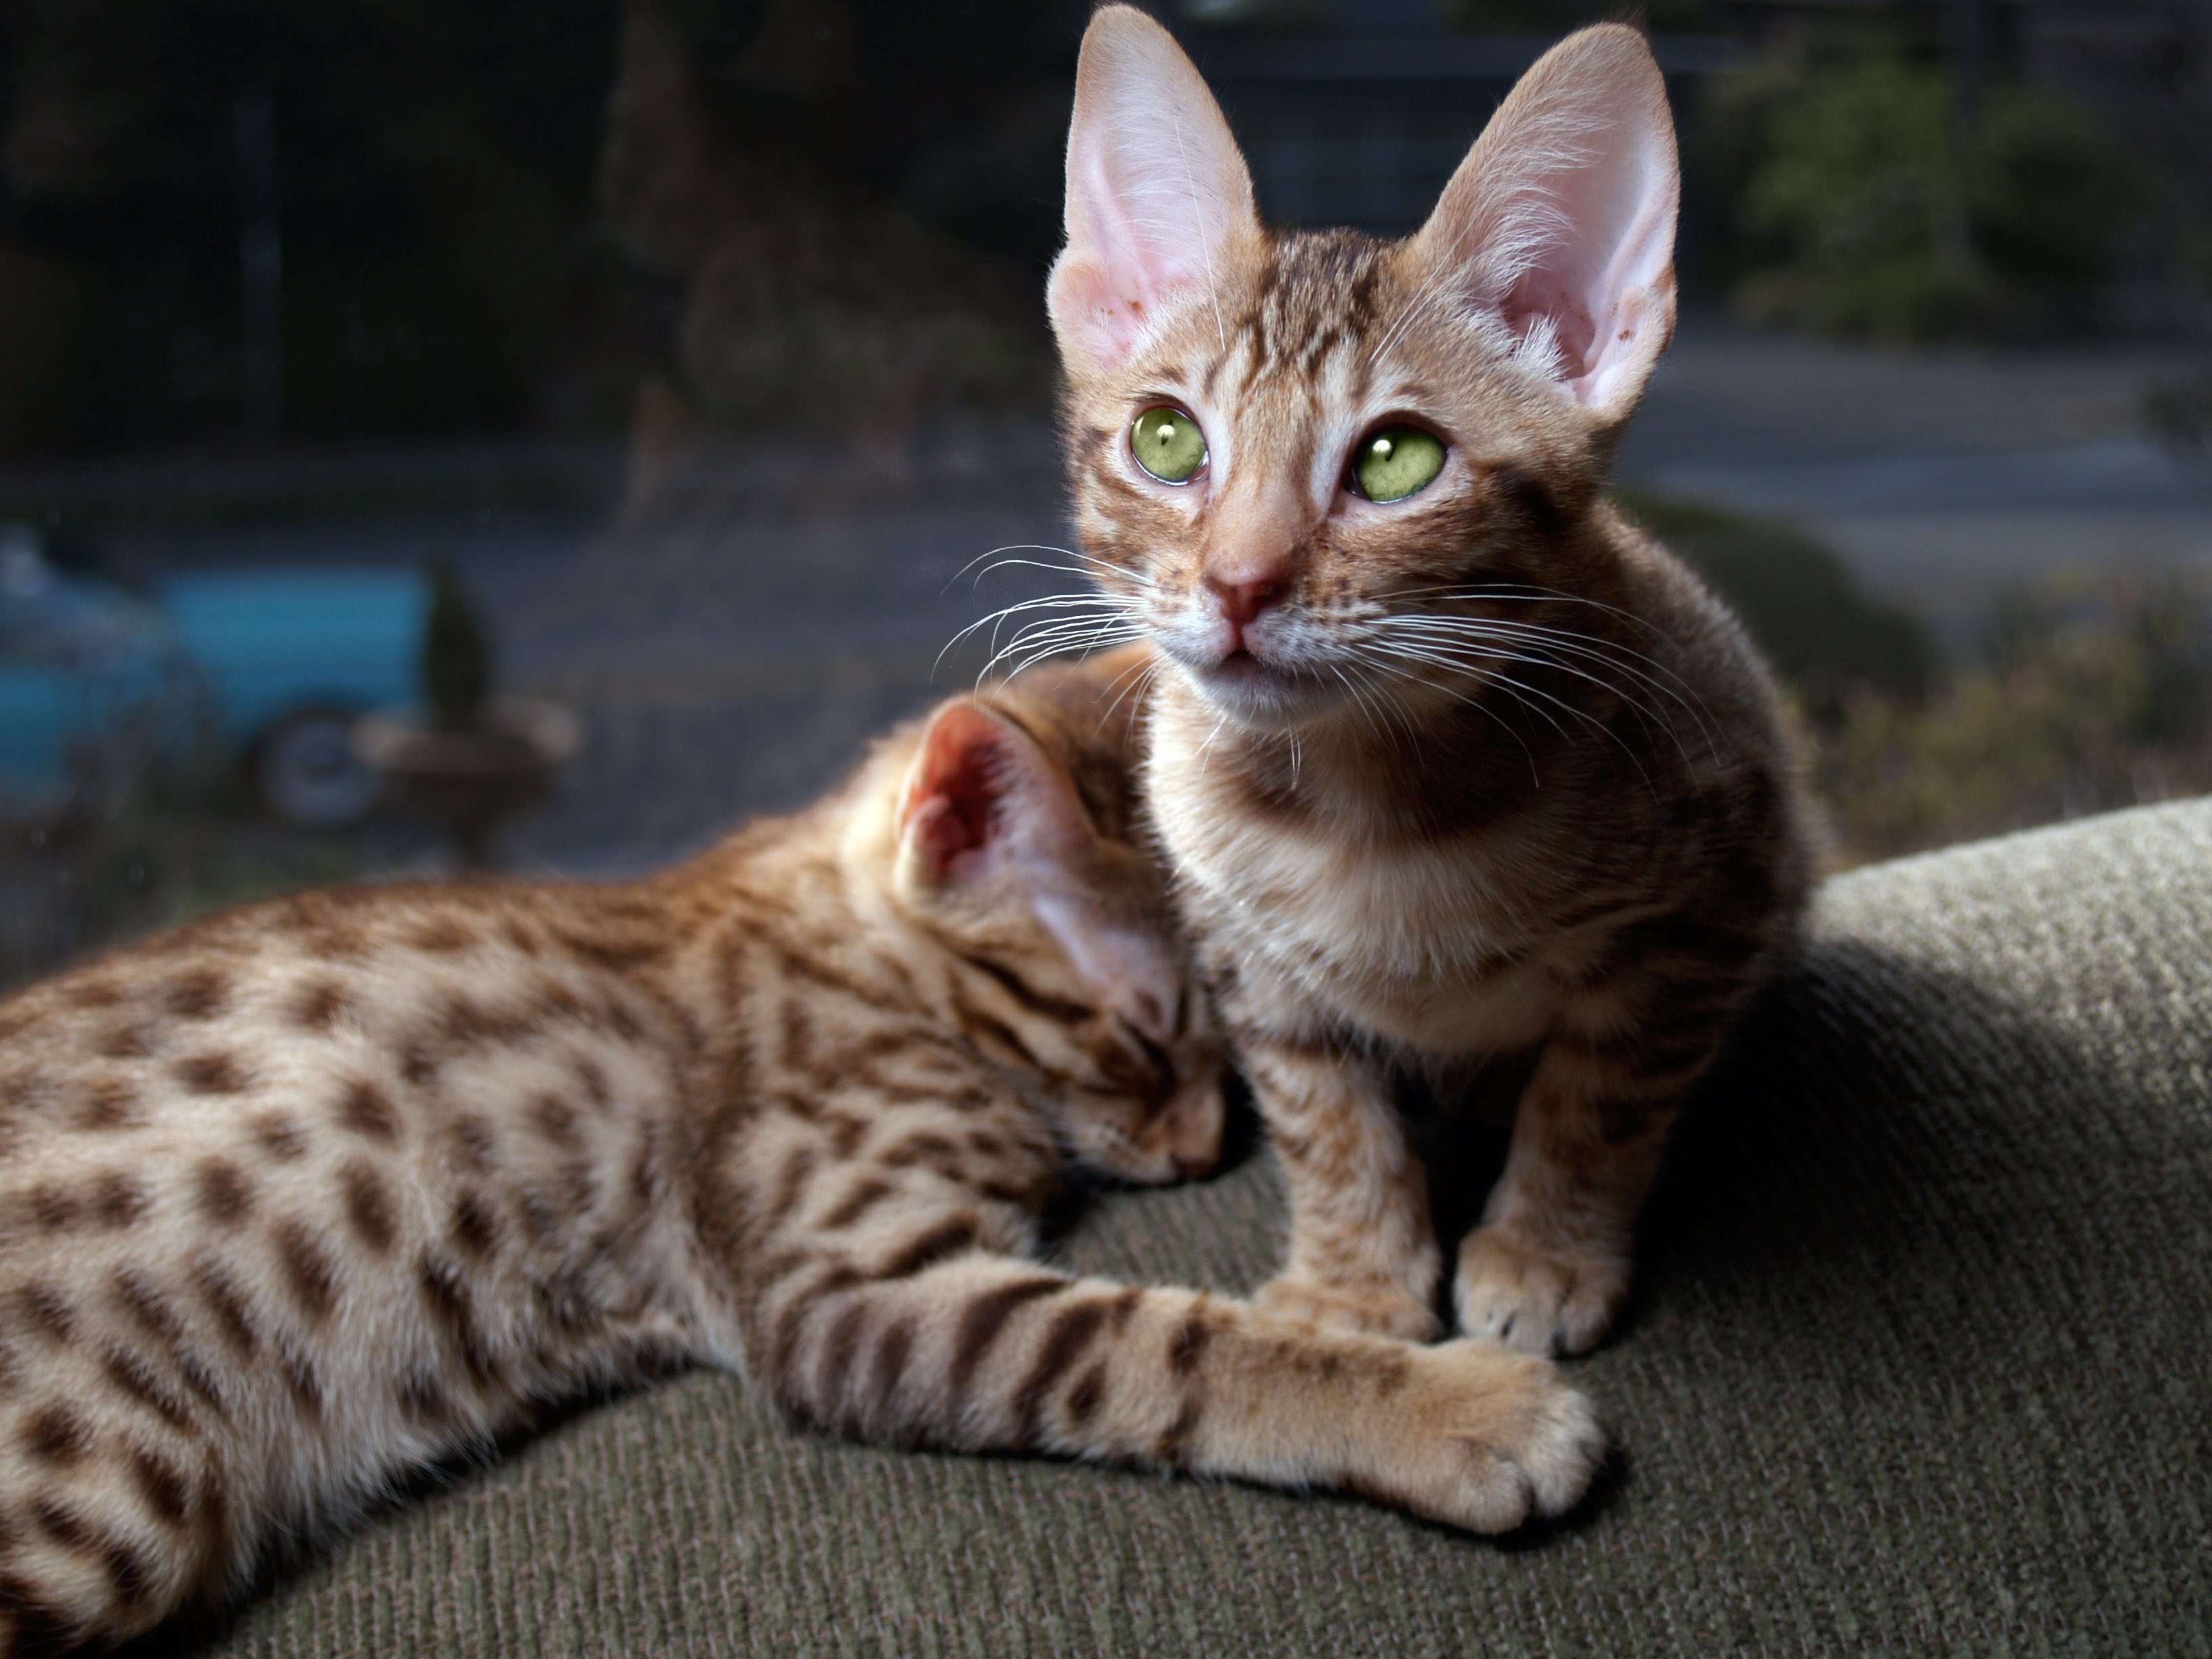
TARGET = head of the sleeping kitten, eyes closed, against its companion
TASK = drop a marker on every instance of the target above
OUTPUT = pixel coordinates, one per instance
(1012, 851)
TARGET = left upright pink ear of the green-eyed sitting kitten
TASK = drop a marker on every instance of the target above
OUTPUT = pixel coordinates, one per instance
(1158, 191)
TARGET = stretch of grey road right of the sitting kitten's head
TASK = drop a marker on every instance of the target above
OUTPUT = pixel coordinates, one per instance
(1939, 474)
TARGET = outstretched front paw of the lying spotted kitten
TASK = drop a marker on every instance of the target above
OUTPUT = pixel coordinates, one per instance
(1490, 1441)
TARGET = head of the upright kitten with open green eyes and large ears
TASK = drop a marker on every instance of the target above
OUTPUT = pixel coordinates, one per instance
(1297, 455)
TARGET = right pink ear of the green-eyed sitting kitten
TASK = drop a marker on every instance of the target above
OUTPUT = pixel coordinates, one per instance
(1563, 218)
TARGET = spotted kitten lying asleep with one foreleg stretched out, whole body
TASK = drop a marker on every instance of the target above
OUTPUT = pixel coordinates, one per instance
(331, 1189)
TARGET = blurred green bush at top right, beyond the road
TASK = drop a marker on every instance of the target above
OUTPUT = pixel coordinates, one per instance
(1864, 207)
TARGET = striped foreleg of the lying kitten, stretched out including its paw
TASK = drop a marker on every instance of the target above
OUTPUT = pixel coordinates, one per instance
(988, 1353)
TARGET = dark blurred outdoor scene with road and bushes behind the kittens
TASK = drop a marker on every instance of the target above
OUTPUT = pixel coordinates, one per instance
(676, 362)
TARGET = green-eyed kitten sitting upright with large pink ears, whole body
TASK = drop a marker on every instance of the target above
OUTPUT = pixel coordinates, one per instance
(1452, 762)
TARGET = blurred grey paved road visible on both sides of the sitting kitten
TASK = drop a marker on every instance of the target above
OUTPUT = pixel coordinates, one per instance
(735, 656)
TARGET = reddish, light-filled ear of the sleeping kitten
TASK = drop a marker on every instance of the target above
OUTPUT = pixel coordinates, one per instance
(981, 793)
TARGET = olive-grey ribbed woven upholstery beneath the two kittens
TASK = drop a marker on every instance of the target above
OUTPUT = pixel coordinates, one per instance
(1919, 1366)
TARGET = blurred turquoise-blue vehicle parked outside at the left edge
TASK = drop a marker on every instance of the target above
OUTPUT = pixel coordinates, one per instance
(271, 665)
